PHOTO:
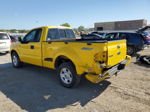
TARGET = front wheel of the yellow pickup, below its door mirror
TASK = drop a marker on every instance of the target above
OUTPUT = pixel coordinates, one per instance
(16, 60)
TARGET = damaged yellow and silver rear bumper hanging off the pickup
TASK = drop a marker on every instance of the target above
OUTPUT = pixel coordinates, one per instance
(109, 72)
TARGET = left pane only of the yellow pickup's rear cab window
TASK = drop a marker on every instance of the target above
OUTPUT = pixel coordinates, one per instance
(53, 34)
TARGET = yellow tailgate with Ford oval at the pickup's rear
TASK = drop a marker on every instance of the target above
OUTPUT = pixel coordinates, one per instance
(116, 52)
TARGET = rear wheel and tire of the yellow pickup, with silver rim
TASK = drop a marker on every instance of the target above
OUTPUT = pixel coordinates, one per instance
(67, 75)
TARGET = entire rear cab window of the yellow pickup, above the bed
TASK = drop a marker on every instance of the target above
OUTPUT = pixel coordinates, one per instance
(56, 34)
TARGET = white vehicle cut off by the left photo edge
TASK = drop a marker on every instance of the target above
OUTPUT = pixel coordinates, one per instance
(5, 42)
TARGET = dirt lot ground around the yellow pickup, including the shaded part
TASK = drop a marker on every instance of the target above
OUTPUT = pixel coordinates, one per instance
(36, 89)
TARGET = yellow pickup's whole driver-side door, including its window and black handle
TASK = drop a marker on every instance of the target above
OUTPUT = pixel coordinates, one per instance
(30, 49)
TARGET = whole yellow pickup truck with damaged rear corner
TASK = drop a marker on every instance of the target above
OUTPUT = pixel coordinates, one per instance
(57, 48)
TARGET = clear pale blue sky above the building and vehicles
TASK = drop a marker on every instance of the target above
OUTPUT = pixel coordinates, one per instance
(27, 14)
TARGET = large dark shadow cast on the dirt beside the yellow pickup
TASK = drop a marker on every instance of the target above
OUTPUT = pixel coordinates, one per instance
(37, 89)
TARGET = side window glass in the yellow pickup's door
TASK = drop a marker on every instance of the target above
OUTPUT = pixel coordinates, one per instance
(33, 36)
